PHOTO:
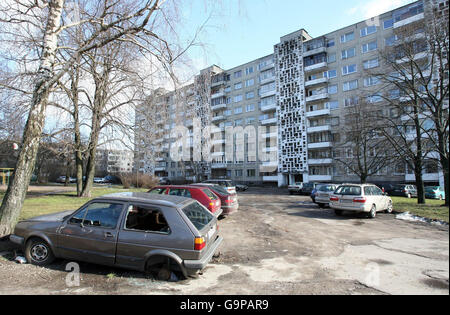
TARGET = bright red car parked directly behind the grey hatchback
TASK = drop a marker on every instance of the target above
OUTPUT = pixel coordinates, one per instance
(202, 194)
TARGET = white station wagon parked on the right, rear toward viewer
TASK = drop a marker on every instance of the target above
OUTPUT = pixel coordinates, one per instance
(360, 198)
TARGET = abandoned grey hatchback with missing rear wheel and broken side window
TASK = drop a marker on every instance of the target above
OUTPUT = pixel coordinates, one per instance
(137, 231)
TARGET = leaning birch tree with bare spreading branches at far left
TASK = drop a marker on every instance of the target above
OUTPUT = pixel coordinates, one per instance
(114, 22)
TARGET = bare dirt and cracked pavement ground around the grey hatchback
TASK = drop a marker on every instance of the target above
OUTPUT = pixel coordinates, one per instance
(277, 244)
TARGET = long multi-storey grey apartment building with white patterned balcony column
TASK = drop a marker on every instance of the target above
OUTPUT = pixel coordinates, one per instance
(285, 111)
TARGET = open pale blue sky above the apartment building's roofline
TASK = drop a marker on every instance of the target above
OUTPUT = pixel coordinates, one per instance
(243, 30)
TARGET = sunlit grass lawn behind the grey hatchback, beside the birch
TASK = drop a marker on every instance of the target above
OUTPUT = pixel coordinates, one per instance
(61, 202)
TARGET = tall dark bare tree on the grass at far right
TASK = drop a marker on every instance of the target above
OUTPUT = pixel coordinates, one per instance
(415, 87)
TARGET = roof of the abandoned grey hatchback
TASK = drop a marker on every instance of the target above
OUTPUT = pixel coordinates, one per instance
(162, 200)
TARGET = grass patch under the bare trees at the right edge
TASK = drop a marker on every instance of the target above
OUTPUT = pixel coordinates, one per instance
(433, 209)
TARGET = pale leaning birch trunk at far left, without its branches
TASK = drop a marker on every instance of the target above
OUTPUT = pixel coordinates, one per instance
(18, 186)
